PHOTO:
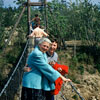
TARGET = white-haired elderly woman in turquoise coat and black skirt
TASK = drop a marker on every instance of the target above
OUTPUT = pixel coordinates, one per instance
(42, 76)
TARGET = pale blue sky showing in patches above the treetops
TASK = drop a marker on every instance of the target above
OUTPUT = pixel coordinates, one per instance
(8, 3)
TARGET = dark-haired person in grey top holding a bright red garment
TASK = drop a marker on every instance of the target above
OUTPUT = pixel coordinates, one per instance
(63, 69)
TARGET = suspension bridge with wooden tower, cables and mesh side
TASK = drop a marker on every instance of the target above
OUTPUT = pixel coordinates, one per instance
(12, 88)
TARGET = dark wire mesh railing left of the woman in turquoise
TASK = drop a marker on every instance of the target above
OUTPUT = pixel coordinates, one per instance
(14, 82)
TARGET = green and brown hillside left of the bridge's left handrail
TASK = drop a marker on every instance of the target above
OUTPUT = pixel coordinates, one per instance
(9, 58)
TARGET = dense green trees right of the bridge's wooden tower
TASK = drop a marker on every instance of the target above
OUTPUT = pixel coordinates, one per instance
(78, 20)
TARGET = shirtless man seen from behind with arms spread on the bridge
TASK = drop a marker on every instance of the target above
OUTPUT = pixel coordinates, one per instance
(37, 33)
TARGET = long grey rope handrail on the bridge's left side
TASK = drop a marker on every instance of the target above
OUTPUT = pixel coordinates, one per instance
(14, 70)
